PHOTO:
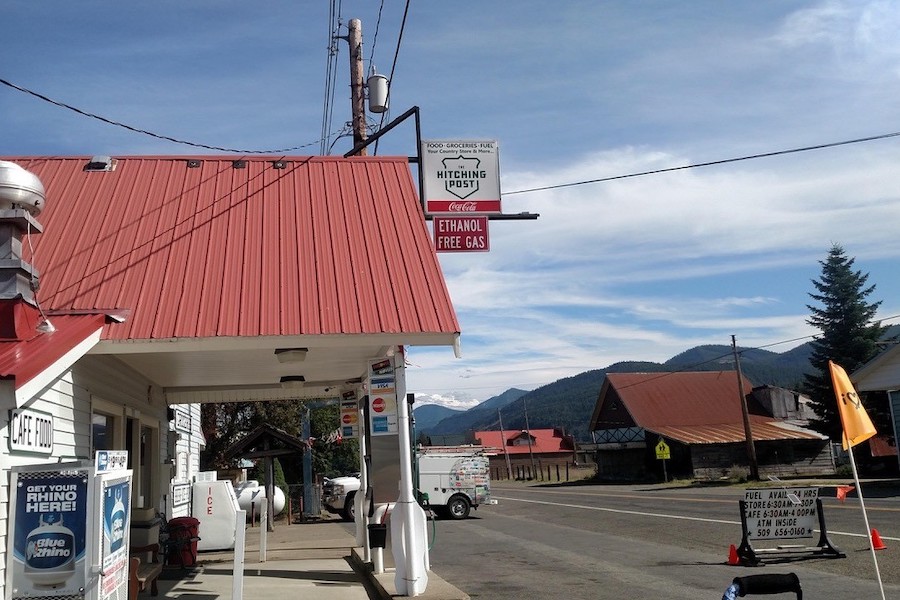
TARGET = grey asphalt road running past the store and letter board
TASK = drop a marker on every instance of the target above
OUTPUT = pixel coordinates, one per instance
(617, 542)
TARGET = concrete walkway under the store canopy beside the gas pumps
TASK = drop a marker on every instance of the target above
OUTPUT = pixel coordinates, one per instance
(317, 559)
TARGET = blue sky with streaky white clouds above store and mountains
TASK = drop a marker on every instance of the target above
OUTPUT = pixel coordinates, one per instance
(633, 269)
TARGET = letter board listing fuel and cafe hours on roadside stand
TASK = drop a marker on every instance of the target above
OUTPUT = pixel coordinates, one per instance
(780, 513)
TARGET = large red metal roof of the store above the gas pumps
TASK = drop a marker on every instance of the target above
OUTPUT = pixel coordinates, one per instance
(323, 246)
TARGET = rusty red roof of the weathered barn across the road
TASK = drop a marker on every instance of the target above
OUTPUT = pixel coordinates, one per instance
(690, 407)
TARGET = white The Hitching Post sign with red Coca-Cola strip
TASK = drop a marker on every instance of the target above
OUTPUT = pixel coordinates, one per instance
(461, 177)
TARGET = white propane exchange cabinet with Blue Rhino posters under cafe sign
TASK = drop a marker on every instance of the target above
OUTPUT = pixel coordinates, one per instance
(69, 530)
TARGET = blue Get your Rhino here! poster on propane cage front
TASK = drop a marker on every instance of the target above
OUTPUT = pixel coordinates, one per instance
(47, 542)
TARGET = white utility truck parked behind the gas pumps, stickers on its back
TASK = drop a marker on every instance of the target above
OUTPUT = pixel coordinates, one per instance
(452, 481)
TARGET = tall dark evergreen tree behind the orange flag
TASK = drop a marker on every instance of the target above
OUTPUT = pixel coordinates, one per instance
(848, 335)
